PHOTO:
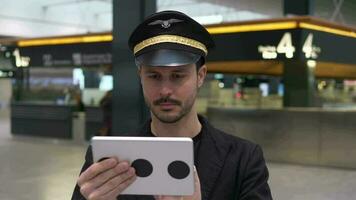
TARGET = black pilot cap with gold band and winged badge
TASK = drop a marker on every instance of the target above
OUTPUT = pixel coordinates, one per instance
(169, 38)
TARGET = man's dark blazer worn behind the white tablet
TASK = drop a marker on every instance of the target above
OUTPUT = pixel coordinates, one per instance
(229, 168)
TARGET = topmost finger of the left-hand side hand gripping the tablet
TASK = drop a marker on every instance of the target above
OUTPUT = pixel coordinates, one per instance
(96, 169)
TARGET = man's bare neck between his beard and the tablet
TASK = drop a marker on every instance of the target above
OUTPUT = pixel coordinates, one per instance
(188, 126)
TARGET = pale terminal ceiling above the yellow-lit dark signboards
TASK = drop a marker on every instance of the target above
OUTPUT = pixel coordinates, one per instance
(41, 18)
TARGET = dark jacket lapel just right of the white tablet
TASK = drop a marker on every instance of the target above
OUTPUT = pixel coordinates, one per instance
(211, 158)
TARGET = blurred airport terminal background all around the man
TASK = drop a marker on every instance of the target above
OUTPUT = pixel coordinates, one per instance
(283, 75)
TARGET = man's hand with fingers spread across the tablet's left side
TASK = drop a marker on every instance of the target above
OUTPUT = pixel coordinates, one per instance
(105, 180)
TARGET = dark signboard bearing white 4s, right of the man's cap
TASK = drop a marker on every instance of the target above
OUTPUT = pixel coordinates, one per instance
(298, 44)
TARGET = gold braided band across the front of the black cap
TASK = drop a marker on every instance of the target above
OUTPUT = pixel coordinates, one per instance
(170, 39)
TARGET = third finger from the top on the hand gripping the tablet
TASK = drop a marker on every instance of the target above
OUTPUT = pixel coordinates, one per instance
(117, 181)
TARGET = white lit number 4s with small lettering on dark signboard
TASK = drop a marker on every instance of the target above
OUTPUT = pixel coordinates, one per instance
(285, 46)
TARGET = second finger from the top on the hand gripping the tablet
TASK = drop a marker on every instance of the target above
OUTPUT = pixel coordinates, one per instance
(99, 180)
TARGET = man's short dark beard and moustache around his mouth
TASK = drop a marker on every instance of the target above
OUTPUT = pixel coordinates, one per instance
(171, 116)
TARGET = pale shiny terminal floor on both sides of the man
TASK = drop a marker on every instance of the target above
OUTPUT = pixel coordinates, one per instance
(42, 169)
